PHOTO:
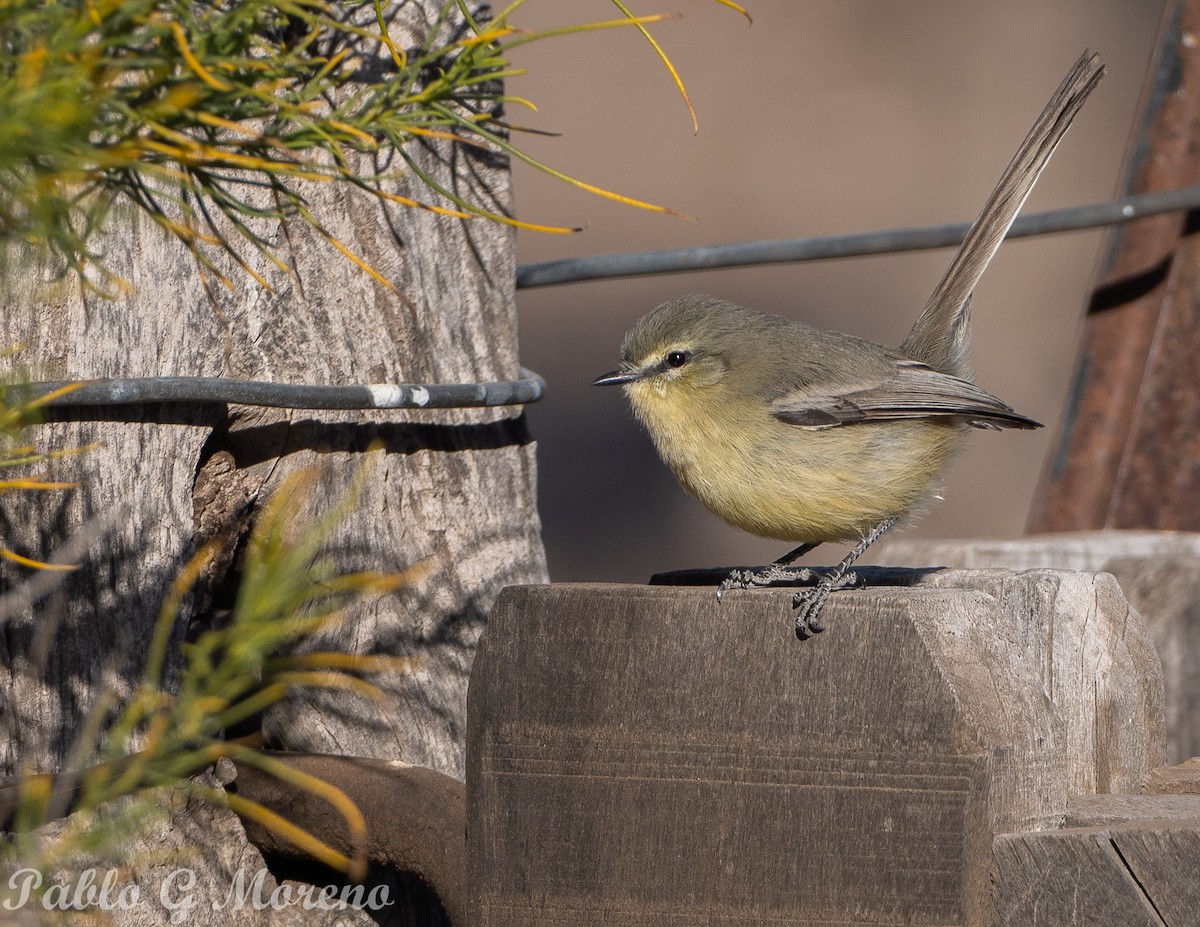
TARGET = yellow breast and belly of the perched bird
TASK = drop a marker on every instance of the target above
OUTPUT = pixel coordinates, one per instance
(790, 483)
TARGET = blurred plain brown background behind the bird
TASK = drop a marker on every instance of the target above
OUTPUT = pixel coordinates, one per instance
(820, 118)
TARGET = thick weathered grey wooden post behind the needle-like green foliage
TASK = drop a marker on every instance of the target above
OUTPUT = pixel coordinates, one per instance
(453, 491)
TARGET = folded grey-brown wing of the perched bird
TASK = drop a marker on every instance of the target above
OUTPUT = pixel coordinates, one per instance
(909, 390)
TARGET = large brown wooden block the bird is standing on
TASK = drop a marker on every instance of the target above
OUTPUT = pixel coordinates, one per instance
(649, 756)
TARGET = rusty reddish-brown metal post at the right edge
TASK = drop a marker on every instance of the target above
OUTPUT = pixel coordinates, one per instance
(1129, 451)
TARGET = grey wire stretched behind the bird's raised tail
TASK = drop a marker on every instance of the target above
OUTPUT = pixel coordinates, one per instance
(742, 254)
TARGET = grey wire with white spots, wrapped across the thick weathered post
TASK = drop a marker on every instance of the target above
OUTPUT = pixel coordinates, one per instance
(143, 391)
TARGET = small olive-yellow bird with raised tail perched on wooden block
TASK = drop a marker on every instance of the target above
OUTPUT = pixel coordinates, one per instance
(809, 436)
